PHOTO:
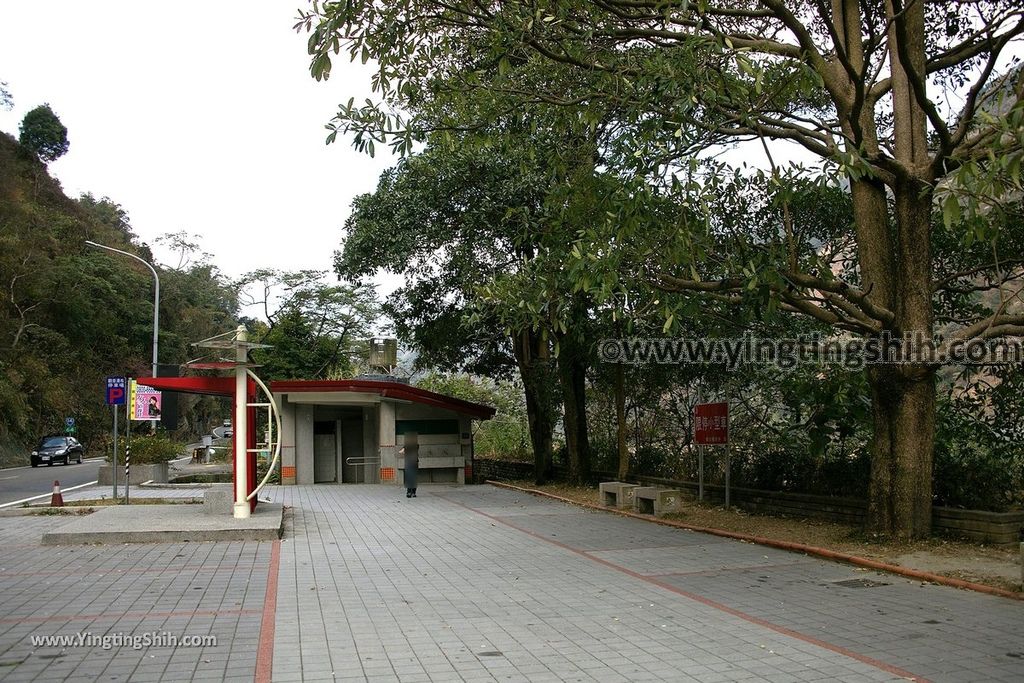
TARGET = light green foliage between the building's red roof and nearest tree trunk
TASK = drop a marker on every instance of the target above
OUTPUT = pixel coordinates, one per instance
(506, 437)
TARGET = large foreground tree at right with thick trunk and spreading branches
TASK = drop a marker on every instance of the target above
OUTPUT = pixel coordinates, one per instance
(886, 95)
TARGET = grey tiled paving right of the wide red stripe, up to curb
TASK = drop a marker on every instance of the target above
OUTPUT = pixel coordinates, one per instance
(482, 584)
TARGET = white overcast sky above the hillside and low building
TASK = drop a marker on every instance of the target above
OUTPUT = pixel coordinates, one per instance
(194, 116)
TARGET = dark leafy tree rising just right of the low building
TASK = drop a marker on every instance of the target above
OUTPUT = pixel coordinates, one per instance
(450, 222)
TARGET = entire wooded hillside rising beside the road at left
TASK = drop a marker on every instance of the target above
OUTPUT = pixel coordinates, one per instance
(71, 316)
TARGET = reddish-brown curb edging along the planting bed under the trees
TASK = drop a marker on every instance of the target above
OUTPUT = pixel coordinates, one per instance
(787, 545)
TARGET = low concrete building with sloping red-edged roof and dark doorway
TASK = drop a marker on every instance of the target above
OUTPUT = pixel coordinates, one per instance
(350, 432)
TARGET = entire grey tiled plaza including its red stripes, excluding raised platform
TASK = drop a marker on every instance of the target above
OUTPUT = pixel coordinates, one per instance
(483, 584)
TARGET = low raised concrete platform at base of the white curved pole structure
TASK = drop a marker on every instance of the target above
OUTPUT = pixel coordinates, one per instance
(167, 524)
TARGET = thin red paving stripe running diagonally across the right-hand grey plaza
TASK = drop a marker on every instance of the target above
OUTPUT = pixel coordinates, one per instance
(700, 599)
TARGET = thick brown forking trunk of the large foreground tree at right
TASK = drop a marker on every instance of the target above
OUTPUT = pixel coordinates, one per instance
(895, 260)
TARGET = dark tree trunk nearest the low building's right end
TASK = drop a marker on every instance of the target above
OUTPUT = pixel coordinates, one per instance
(535, 368)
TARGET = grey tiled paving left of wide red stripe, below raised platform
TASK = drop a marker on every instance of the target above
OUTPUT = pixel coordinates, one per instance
(198, 589)
